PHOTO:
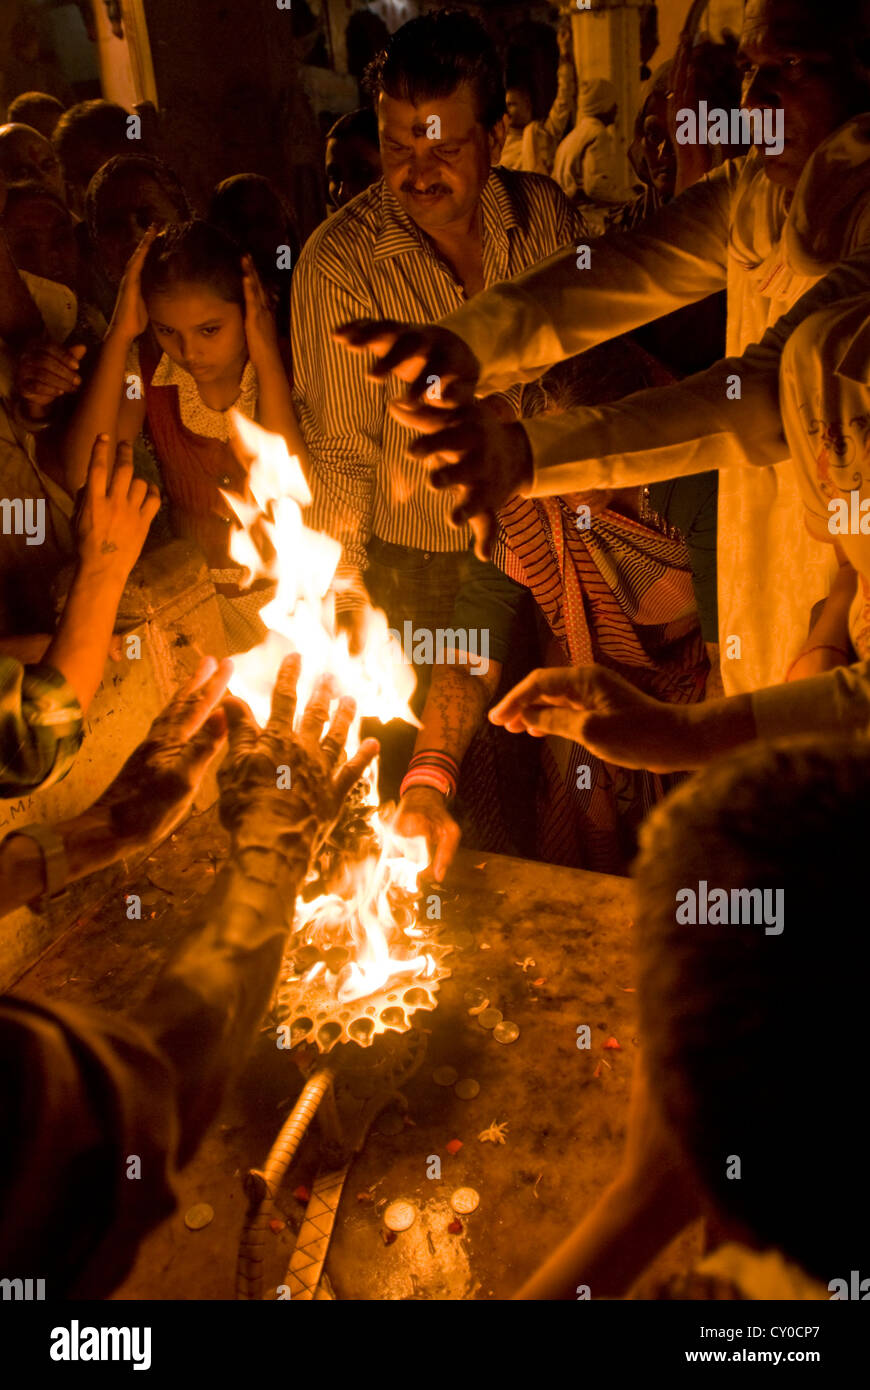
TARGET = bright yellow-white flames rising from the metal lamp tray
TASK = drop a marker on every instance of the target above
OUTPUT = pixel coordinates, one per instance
(368, 926)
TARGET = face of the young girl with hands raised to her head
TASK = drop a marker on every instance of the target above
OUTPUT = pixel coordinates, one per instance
(201, 332)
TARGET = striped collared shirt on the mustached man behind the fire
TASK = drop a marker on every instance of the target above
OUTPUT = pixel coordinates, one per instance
(370, 261)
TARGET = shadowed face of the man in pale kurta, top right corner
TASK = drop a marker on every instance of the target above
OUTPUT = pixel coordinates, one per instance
(786, 65)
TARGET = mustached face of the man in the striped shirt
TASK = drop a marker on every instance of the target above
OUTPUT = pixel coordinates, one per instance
(437, 156)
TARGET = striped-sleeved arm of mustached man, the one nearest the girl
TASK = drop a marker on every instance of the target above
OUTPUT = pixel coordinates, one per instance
(341, 415)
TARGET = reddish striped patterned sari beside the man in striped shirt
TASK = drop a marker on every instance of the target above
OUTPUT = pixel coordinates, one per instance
(618, 594)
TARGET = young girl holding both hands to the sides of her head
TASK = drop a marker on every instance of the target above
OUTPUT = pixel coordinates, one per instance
(191, 337)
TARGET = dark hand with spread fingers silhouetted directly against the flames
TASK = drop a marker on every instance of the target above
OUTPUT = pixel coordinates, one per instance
(283, 789)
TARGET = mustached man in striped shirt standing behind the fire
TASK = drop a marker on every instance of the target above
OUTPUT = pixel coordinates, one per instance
(440, 227)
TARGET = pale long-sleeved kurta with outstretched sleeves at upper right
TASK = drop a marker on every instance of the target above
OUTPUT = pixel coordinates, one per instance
(732, 231)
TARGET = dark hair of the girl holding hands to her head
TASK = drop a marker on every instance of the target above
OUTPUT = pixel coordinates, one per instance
(194, 254)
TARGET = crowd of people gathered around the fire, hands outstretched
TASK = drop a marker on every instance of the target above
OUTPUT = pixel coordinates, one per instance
(600, 418)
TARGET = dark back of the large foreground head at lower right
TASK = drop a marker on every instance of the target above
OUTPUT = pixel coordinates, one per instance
(736, 896)
